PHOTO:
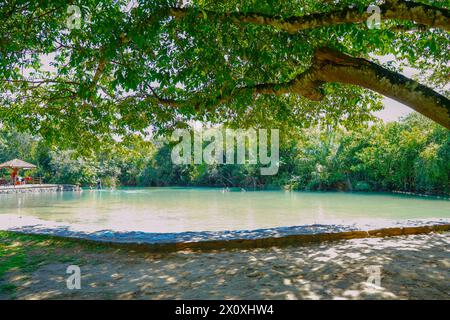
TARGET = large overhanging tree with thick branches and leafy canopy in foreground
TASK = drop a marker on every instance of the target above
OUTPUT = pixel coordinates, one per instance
(242, 62)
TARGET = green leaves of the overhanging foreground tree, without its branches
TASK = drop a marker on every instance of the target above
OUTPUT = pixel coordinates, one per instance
(197, 60)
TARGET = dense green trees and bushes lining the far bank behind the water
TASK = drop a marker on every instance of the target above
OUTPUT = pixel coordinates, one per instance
(410, 155)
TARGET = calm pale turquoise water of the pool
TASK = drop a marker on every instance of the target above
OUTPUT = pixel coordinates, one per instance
(165, 210)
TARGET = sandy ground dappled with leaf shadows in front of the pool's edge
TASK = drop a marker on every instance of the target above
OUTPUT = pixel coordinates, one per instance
(412, 267)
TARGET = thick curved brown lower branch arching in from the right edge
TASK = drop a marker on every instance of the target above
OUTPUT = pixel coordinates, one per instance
(329, 66)
